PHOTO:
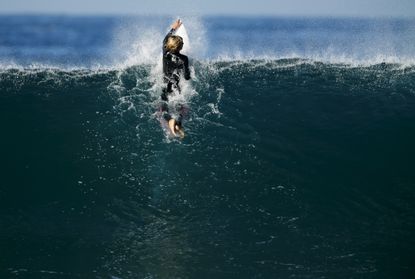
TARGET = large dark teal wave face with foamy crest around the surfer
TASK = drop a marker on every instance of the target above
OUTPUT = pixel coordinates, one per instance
(272, 146)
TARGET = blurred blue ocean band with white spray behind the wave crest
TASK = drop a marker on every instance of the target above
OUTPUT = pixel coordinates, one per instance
(121, 42)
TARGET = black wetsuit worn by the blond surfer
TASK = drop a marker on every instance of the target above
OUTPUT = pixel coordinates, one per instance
(175, 65)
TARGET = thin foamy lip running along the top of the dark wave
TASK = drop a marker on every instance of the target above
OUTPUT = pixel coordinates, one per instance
(14, 76)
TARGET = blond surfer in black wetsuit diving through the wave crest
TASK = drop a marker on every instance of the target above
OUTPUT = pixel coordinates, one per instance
(175, 66)
